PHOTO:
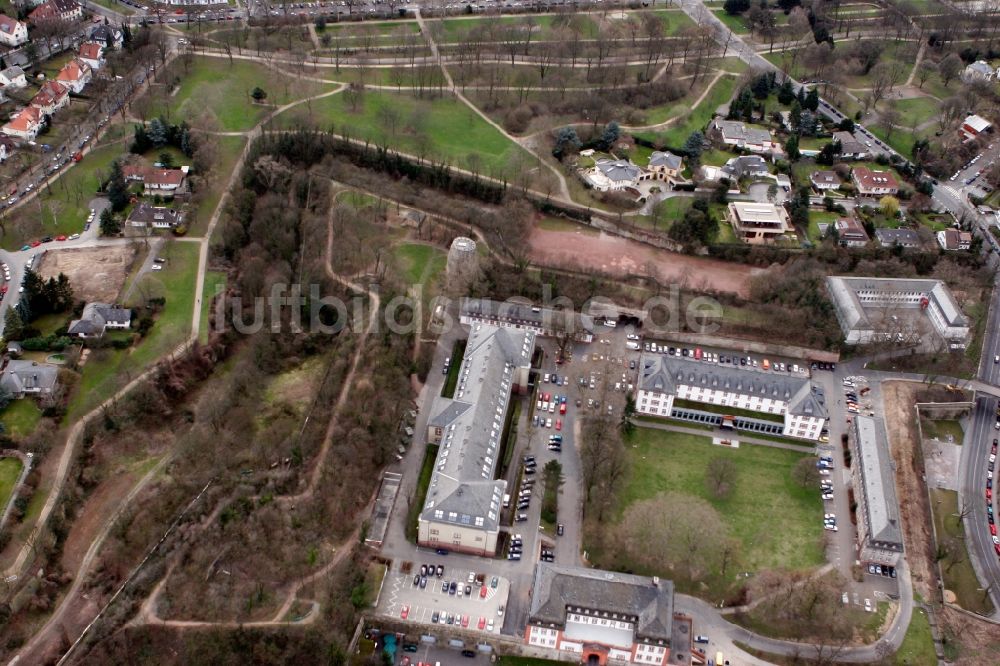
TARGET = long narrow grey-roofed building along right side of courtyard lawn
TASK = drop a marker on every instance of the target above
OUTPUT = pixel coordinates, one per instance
(880, 536)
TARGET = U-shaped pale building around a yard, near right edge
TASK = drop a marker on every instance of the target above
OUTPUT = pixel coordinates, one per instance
(863, 304)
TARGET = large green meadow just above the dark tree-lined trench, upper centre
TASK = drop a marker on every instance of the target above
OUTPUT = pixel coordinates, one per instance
(442, 128)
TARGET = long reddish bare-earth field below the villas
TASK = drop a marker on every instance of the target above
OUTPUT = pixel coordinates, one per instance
(619, 256)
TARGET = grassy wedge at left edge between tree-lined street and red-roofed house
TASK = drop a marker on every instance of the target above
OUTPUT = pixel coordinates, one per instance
(62, 206)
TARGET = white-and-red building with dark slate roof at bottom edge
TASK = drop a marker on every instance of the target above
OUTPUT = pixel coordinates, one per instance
(604, 617)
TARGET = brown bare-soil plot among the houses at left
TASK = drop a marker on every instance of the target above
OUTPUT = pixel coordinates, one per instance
(96, 273)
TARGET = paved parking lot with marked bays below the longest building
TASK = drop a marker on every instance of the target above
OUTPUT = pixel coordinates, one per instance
(442, 600)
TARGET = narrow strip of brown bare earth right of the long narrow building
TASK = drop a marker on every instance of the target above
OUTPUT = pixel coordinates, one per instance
(900, 423)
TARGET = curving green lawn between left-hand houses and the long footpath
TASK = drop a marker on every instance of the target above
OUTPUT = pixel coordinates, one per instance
(176, 282)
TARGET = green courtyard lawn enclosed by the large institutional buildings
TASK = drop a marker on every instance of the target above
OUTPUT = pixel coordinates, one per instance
(776, 520)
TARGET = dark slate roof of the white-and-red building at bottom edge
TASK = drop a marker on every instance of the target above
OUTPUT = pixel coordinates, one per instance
(646, 600)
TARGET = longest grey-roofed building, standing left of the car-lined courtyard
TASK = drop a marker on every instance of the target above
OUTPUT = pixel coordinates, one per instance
(462, 508)
